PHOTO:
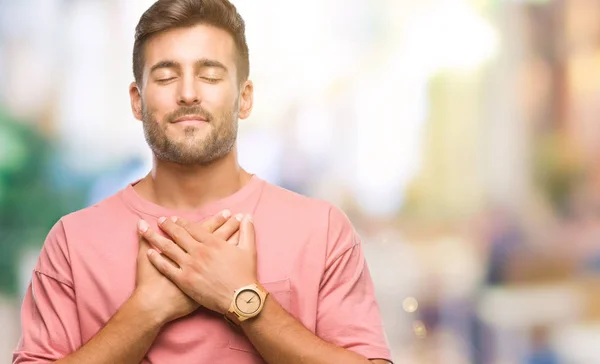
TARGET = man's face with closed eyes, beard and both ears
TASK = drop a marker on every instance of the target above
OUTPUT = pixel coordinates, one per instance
(190, 98)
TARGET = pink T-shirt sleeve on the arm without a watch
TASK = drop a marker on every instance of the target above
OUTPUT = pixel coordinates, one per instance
(49, 321)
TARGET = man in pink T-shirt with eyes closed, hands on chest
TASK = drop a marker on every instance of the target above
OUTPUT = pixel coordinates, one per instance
(222, 267)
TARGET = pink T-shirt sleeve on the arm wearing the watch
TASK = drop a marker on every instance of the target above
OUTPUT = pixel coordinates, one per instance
(348, 314)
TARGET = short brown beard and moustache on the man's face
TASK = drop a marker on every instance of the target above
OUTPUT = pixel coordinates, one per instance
(191, 148)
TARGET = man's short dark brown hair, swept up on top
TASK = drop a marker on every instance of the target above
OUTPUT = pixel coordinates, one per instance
(164, 15)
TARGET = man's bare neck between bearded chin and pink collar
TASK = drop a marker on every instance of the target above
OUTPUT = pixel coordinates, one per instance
(186, 188)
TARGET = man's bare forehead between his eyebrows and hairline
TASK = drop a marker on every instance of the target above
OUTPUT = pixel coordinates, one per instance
(188, 45)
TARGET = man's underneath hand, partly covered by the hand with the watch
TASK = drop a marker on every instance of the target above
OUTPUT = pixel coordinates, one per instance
(156, 294)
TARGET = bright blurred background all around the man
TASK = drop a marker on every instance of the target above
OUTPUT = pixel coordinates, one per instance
(459, 136)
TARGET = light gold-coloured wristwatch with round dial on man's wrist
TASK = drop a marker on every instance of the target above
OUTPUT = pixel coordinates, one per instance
(247, 303)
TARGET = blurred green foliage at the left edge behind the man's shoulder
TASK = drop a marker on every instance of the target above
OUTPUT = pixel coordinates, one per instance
(30, 200)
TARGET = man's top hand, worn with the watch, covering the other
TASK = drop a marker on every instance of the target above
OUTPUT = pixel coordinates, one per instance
(206, 268)
